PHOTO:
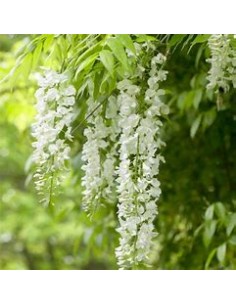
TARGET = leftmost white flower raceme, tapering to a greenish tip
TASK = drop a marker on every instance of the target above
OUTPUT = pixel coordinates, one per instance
(52, 131)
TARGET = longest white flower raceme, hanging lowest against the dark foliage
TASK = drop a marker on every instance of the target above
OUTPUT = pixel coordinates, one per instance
(137, 184)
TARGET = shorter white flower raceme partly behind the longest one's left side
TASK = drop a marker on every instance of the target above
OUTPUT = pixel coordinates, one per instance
(99, 155)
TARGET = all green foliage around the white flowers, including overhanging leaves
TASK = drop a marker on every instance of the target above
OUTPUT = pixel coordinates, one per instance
(197, 209)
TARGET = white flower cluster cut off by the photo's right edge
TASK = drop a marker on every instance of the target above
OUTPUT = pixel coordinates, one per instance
(223, 63)
